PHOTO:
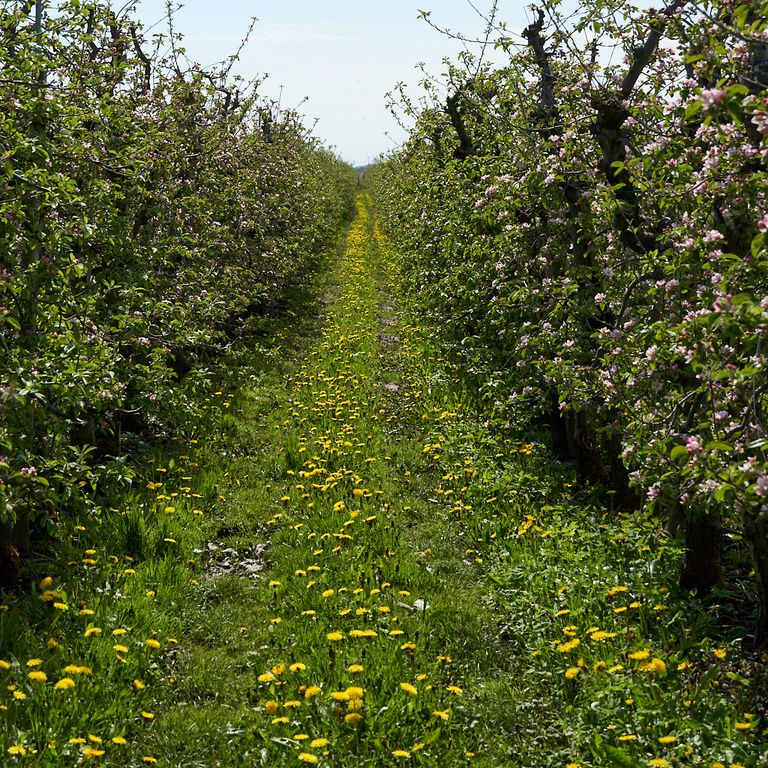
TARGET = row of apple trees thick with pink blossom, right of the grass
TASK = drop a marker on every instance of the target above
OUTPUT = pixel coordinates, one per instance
(588, 227)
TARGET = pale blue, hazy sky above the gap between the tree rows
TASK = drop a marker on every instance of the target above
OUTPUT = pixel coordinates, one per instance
(334, 61)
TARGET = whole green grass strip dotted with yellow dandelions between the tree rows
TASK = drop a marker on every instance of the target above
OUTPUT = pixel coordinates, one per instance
(344, 484)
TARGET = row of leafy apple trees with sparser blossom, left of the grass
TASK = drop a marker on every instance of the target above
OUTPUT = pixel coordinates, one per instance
(150, 212)
